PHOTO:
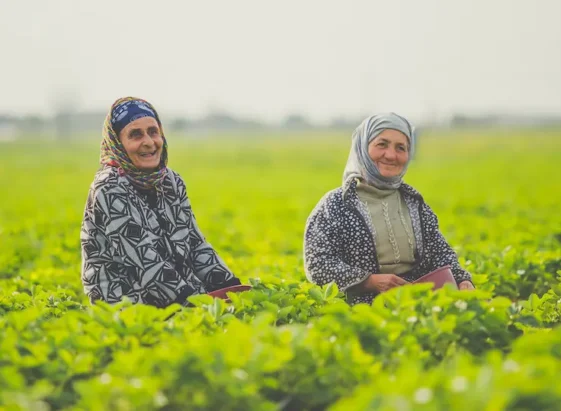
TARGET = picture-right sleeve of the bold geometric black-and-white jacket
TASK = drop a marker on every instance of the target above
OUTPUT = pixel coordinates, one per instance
(207, 264)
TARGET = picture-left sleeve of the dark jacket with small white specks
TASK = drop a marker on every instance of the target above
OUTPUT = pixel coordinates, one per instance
(323, 261)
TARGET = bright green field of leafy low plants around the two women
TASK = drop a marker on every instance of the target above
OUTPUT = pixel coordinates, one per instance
(289, 345)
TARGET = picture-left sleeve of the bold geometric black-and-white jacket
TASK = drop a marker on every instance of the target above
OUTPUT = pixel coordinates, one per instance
(112, 266)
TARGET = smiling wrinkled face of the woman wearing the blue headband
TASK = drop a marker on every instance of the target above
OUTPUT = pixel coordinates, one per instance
(143, 142)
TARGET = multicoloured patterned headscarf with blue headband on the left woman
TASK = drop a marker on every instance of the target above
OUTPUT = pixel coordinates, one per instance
(113, 154)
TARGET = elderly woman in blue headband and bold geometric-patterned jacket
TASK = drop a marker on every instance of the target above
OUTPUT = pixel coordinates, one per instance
(139, 235)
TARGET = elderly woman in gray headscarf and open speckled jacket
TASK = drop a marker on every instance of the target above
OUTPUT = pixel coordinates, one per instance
(376, 232)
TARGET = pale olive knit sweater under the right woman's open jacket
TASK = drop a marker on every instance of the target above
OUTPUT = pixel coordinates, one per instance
(395, 242)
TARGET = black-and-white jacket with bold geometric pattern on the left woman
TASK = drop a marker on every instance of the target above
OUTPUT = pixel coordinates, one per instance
(145, 245)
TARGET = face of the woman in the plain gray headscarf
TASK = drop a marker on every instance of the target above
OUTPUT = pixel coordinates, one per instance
(390, 152)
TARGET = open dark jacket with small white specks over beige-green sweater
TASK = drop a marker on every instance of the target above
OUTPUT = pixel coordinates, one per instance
(339, 243)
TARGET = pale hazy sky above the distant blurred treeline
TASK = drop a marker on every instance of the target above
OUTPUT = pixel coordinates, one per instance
(266, 59)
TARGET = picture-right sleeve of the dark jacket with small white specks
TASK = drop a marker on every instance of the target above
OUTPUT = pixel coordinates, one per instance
(438, 252)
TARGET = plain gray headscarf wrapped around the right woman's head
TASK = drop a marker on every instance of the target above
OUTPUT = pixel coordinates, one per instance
(361, 165)
